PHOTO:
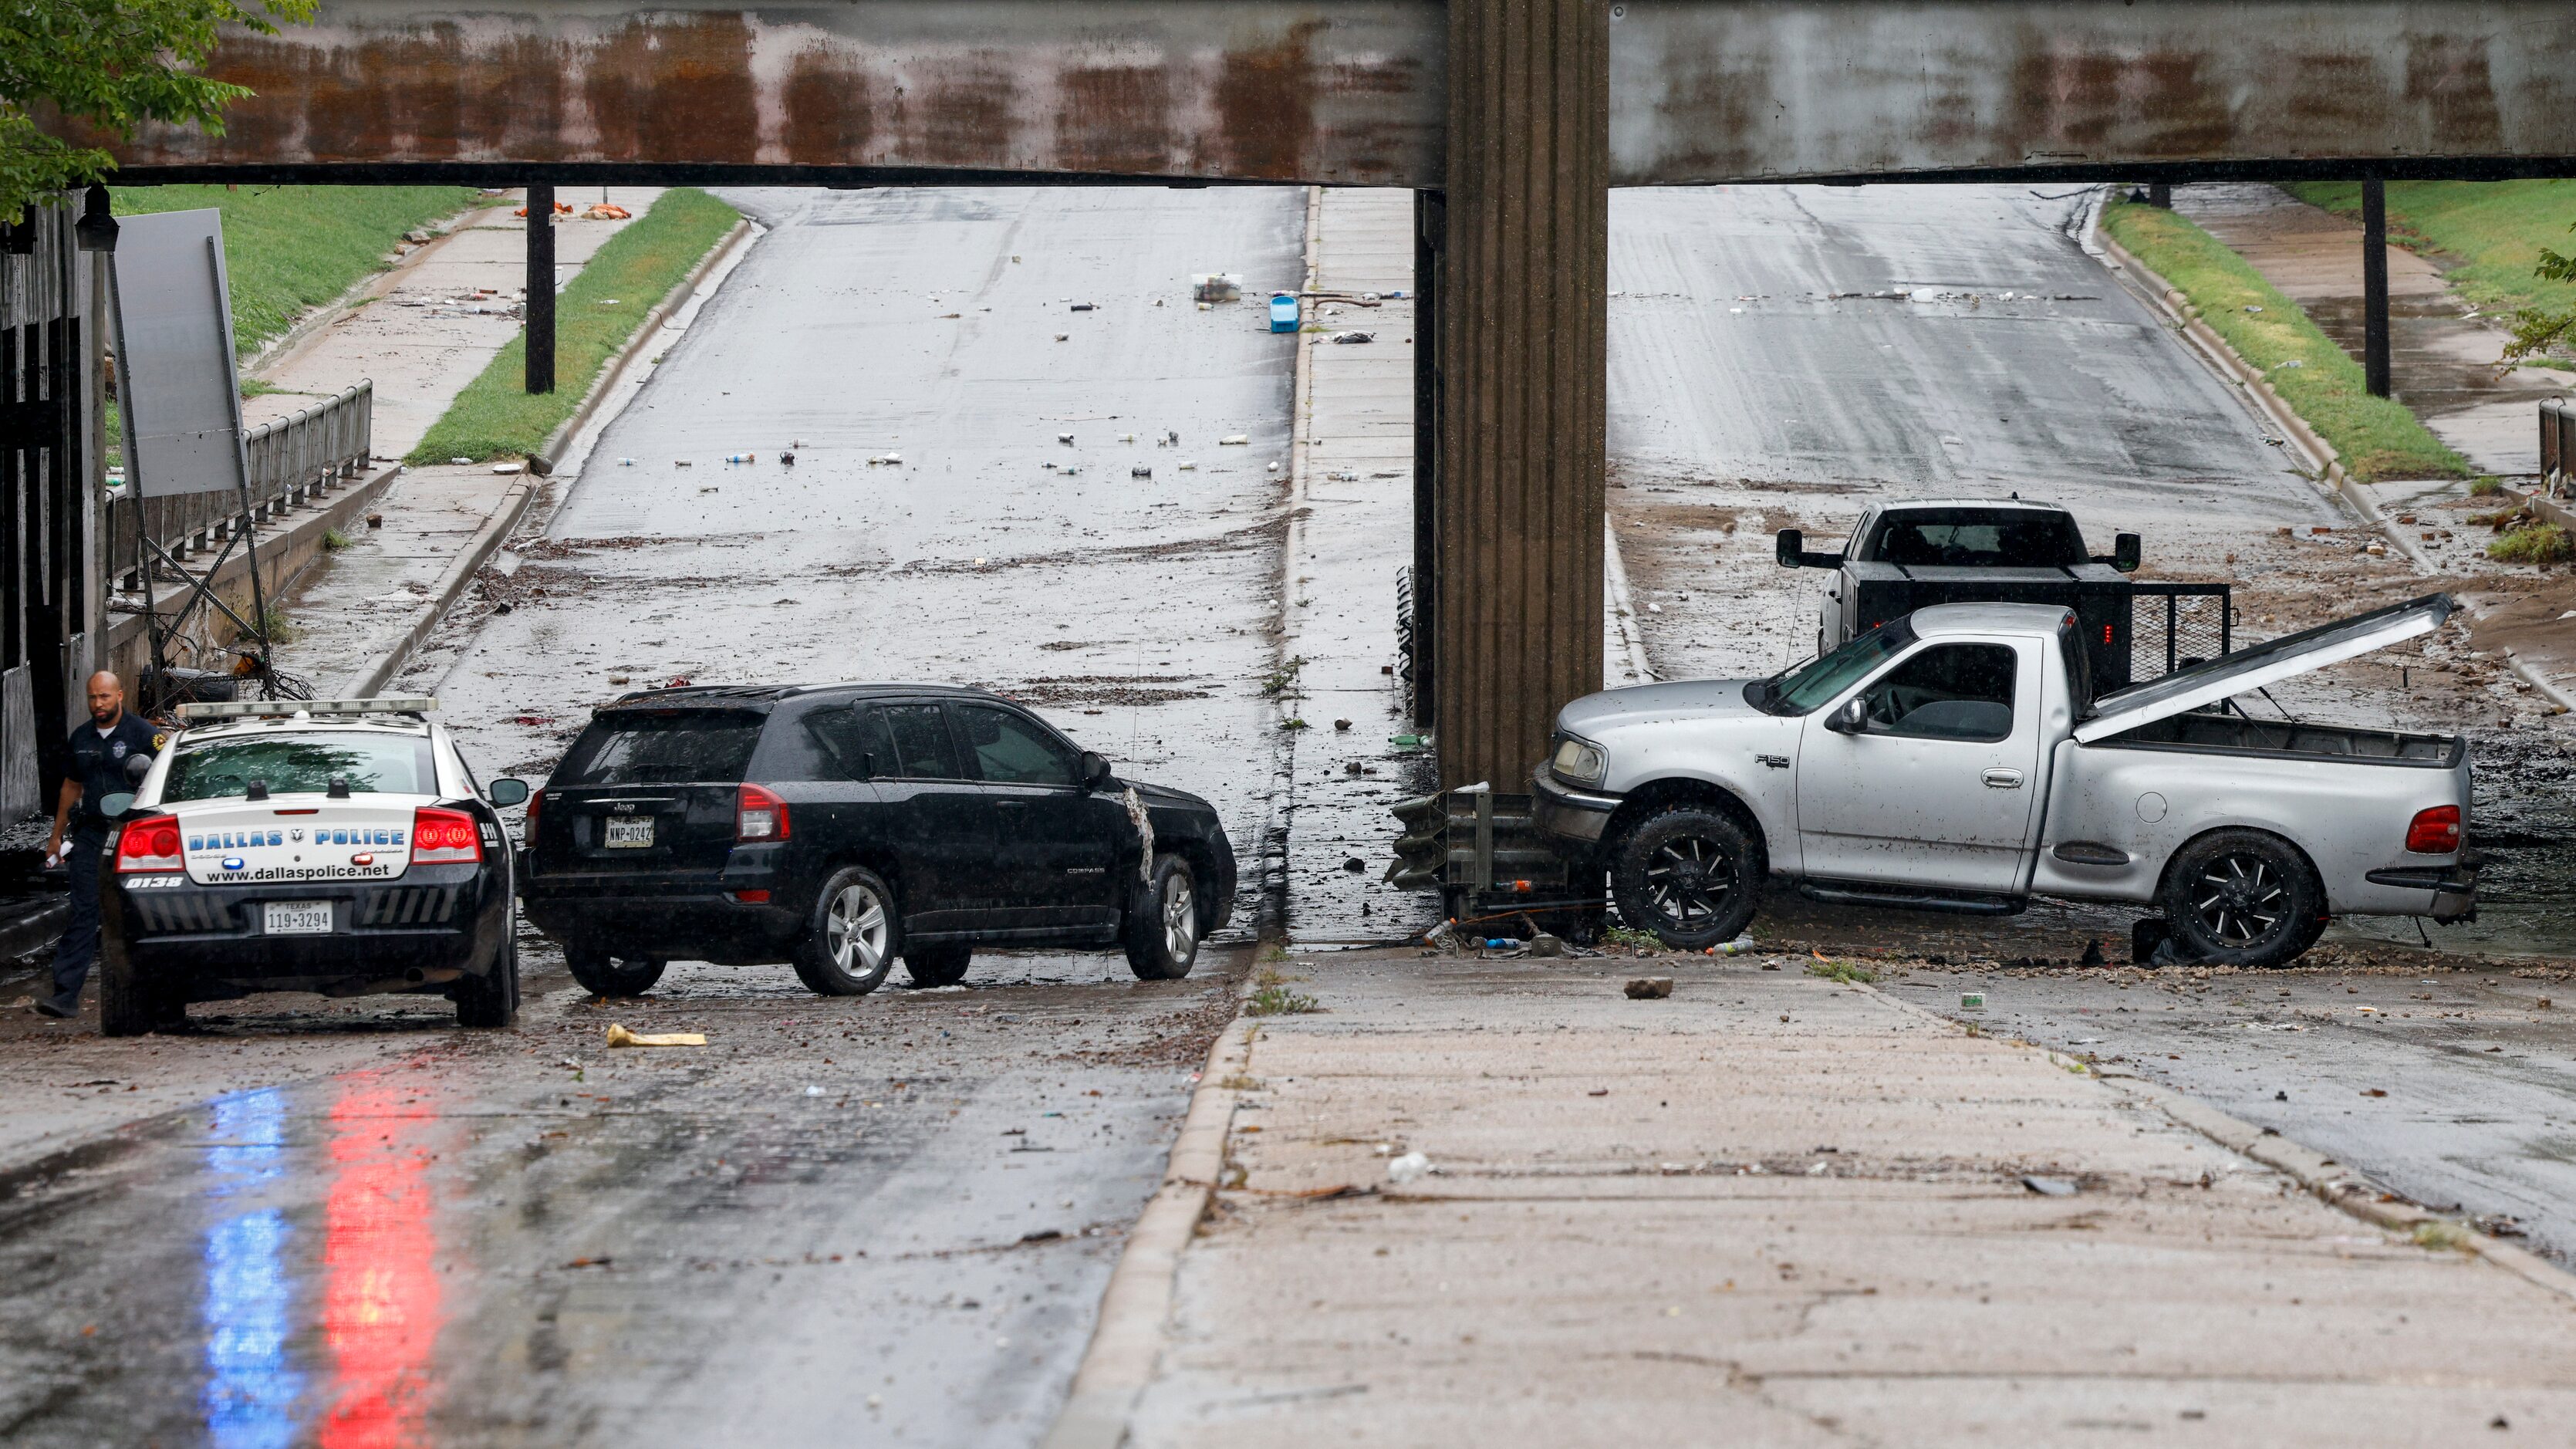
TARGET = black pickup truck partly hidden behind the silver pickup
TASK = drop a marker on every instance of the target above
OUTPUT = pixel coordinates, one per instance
(1985, 550)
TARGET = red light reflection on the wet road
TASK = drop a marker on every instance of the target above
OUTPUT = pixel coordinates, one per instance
(380, 1275)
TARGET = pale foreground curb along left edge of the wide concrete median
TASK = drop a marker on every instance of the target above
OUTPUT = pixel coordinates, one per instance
(1127, 1342)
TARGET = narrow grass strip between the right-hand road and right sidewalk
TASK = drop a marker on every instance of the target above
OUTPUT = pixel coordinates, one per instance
(2271, 334)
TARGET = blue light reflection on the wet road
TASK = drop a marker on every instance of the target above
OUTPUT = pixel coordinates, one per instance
(251, 1391)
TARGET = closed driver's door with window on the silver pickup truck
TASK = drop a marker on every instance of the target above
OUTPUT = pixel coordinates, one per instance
(1936, 790)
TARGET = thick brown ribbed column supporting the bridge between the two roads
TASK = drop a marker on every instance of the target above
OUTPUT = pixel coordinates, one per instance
(1524, 365)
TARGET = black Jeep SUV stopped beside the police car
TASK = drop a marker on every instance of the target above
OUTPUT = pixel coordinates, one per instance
(844, 826)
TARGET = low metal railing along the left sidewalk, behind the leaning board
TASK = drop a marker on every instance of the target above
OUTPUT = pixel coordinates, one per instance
(292, 463)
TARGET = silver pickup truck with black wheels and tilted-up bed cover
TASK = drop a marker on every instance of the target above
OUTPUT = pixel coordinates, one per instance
(1956, 759)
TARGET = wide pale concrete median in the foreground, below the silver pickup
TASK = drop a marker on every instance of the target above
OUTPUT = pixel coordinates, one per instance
(1784, 1211)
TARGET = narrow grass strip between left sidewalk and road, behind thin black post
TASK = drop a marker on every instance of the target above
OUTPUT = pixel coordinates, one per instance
(594, 318)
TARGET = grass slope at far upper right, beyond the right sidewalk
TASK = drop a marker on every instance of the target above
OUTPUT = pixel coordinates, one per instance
(2485, 236)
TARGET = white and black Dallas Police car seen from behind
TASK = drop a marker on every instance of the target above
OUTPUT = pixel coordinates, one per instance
(334, 847)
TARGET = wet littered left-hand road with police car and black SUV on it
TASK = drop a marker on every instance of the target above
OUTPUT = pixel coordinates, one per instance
(841, 1221)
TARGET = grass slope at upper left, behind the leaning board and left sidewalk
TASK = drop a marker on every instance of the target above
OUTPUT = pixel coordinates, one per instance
(290, 249)
